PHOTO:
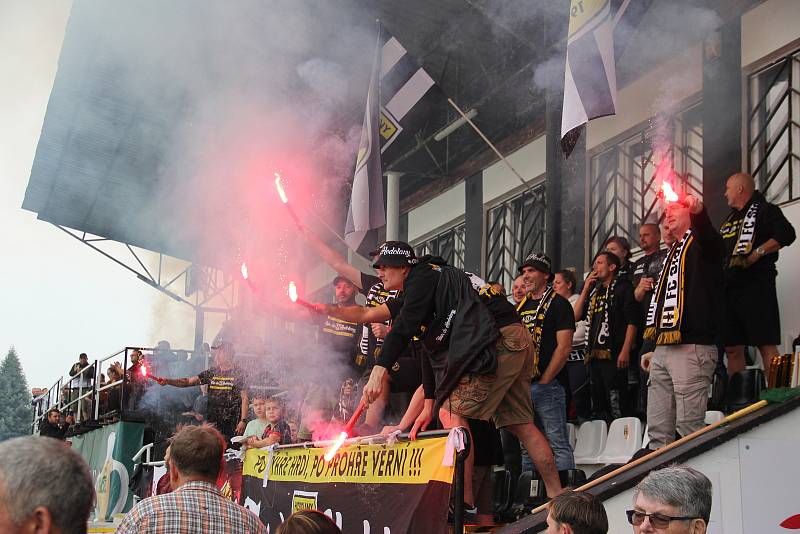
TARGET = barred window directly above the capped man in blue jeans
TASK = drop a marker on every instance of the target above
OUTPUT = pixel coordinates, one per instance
(515, 228)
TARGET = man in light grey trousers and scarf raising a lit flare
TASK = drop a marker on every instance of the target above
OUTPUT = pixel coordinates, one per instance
(683, 322)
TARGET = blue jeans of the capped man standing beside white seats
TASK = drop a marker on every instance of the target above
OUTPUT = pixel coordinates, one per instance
(550, 415)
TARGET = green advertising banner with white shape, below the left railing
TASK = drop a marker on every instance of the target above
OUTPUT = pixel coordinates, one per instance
(108, 451)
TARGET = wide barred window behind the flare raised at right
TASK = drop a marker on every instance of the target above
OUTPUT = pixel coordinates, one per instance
(624, 184)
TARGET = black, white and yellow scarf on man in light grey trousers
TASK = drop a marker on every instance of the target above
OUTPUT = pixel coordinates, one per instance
(666, 309)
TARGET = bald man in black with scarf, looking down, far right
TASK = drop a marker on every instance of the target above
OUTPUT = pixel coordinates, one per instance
(753, 233)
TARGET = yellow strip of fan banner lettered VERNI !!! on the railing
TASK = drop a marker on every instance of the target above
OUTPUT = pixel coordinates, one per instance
(411, 462)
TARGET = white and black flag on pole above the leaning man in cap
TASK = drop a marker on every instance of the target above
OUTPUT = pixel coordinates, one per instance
(397, 87)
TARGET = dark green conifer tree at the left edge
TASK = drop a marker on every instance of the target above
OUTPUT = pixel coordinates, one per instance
(15, 399)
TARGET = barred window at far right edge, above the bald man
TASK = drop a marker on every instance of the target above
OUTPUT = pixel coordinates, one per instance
(773, 155)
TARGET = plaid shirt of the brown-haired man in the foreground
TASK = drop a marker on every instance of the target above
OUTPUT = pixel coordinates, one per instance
(195, 507)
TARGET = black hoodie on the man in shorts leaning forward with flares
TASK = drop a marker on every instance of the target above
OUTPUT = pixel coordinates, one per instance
(459, 331)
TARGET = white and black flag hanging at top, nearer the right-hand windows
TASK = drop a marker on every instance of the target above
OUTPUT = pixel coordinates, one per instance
(590, 82)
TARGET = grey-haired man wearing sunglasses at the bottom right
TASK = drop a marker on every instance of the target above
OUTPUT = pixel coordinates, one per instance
(675, 499)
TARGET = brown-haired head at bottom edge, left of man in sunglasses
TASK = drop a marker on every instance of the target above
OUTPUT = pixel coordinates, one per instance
(576, 513)
